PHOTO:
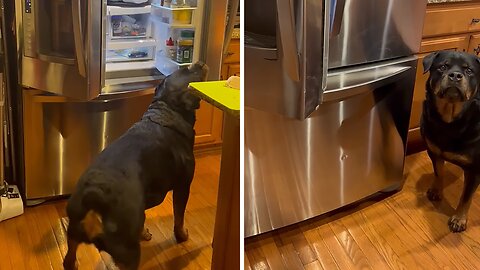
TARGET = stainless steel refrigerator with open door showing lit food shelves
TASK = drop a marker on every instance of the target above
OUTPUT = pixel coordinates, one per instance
(87, 71)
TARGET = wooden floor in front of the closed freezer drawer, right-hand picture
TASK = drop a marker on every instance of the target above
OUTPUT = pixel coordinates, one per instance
(403, 231)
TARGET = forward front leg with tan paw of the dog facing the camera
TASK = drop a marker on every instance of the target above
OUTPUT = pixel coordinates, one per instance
(458, 222)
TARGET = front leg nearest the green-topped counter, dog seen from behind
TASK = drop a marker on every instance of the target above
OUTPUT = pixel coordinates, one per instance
(180, 199)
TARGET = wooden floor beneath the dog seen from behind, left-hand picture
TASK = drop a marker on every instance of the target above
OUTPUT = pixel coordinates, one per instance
(37, 240)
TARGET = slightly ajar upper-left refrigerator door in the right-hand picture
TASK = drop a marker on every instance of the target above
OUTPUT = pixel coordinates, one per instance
(285, 52)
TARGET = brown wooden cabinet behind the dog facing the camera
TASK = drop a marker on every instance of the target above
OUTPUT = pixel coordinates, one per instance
(447, 27)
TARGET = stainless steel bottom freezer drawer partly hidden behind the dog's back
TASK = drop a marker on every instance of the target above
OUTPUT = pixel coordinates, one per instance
(62, 137)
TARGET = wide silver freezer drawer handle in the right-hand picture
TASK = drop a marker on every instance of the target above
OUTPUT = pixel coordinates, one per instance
(342, 86)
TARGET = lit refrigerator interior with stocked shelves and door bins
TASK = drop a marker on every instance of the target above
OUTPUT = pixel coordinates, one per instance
(151, 40)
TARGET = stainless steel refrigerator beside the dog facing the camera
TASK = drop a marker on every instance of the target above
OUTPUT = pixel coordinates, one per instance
(328, 90)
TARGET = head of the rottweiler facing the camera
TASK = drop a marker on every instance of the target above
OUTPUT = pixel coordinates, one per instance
(454, 76)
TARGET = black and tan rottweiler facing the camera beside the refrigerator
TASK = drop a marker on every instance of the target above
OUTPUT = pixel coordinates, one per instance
(450, 124)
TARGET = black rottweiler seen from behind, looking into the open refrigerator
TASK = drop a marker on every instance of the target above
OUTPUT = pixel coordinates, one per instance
(135, 173)
